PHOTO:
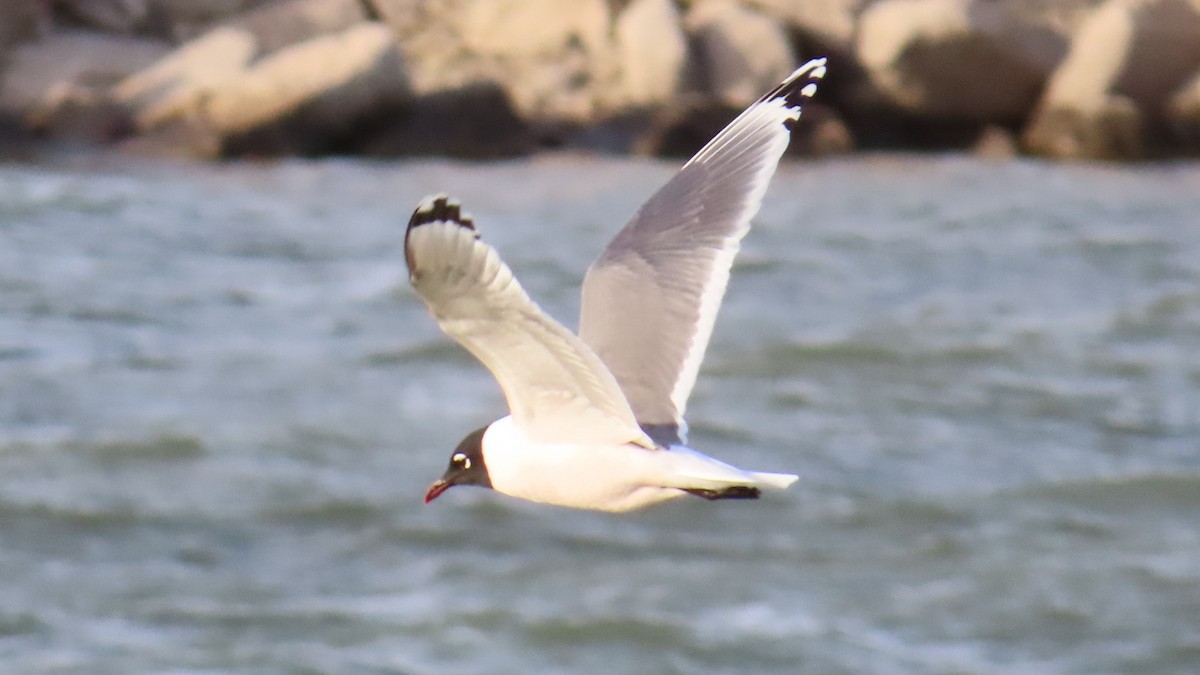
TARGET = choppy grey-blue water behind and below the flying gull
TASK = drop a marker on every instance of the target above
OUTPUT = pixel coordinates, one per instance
(220, 405)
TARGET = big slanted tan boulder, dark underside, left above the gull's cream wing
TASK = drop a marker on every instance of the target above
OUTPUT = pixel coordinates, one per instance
(311, 97)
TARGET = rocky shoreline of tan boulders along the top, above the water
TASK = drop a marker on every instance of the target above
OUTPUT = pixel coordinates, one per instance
(1073, 80)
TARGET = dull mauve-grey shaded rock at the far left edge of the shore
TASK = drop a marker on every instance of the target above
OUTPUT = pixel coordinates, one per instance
(52, 85)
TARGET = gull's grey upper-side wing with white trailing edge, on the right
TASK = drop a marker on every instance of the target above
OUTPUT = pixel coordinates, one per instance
(650, 301)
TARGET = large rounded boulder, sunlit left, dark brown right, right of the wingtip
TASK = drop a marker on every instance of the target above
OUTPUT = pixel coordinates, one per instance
(958, 59)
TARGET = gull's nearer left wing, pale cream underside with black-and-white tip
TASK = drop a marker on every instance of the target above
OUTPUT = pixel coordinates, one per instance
(557, 390)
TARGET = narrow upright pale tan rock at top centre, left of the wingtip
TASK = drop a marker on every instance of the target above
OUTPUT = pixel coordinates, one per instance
(652, 52)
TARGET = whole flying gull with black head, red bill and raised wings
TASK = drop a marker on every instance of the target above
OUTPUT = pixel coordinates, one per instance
(597, 419)
